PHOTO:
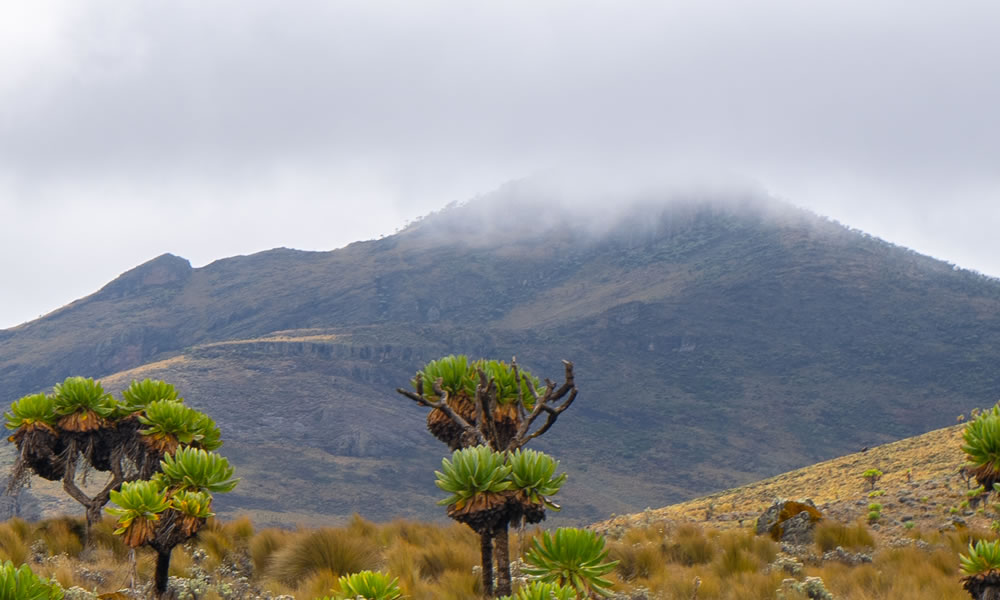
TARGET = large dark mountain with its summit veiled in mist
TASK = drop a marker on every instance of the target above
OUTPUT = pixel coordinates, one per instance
(716, 341)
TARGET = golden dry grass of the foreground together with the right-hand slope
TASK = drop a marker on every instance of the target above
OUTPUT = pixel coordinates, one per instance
(668, 552)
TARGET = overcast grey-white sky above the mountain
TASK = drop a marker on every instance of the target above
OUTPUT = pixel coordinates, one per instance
(210, 129)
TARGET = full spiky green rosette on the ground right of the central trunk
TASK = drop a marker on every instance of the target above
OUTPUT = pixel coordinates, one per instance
(573, 557)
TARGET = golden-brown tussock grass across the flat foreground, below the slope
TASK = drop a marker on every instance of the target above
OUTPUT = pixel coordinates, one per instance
(435, 562)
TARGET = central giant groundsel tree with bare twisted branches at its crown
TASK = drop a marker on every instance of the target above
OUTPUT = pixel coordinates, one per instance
(499, 406)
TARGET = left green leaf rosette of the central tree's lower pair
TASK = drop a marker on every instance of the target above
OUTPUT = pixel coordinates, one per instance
(472, 471)
